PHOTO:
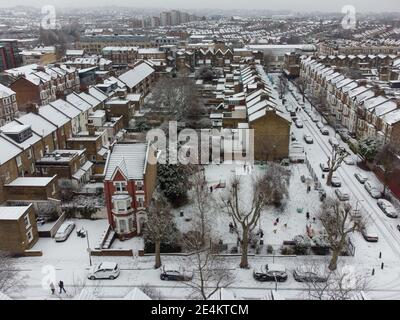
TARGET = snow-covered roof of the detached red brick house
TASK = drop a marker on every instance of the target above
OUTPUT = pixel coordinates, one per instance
(129, 159)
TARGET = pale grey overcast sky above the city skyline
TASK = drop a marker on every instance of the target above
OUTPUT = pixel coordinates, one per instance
(295, 5)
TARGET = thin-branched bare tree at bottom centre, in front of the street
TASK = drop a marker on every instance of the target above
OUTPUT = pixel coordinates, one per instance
(210, 272)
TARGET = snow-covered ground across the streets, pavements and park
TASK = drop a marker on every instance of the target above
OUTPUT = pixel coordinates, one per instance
(71, 261)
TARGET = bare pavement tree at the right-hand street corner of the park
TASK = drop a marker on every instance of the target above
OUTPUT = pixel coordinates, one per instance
(338, 224)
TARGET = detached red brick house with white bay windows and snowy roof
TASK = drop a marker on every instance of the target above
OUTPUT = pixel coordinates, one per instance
(129, 182)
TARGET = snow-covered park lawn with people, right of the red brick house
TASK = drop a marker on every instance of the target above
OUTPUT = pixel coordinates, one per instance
(273, 235)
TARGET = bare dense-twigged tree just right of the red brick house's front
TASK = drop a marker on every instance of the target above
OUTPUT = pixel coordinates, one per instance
(159, 227)
